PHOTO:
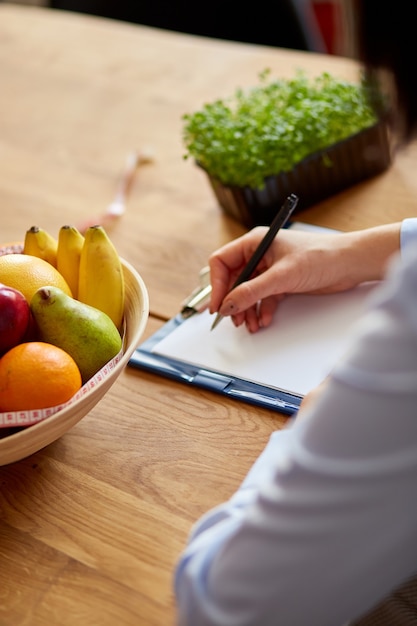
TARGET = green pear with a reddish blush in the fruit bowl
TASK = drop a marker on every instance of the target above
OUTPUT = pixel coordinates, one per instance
(87, 334)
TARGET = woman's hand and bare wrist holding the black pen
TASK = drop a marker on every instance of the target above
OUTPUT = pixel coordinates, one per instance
(296, 262)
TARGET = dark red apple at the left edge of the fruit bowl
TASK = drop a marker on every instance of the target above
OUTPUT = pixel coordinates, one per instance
(14, 317)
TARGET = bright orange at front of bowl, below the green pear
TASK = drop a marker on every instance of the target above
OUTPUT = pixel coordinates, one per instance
(37, 375)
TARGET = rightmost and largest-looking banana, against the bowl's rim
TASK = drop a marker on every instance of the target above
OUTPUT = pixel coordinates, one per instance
(101, 280)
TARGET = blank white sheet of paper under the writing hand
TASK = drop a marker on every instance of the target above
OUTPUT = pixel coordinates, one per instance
(308, 335)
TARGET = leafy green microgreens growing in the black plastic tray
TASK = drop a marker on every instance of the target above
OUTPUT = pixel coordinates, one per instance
(270, 128)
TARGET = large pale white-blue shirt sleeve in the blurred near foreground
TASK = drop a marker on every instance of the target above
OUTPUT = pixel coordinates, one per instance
(325, 523)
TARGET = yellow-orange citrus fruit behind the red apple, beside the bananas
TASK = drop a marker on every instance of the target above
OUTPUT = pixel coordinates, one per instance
(28, 273)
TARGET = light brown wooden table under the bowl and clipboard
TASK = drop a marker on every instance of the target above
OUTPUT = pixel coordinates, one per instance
(91, 526)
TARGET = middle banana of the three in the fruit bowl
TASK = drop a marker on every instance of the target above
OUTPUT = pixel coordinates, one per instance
(70, 244)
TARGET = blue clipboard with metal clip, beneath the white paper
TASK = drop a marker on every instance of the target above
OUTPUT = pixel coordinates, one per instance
(236, 388)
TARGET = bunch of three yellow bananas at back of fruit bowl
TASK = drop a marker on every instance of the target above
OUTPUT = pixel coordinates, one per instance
(90, 264)
